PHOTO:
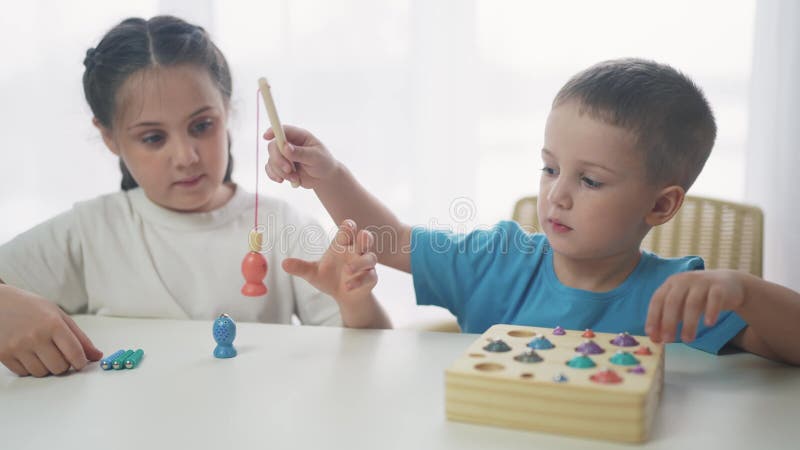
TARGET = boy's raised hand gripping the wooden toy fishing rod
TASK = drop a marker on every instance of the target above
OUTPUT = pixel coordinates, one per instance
(304, 160)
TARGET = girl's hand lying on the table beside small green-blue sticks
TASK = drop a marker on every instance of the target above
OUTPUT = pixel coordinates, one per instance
(38, 338)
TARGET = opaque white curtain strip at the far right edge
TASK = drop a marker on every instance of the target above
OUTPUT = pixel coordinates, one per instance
(773, 150)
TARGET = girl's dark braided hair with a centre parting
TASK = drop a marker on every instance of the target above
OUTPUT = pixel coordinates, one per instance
(137, 44)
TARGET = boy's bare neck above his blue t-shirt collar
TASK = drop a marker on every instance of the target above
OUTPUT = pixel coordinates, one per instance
(596, 275)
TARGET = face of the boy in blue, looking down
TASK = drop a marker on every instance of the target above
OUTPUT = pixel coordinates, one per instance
(593, 195)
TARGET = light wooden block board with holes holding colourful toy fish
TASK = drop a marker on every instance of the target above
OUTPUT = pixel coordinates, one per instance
(493, 388)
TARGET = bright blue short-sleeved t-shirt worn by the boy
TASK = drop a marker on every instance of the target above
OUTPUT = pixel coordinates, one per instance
(506, 275)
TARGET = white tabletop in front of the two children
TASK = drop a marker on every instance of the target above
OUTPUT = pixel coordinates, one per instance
(316, 387)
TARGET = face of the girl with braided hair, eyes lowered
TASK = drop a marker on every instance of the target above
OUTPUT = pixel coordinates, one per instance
(170, 130)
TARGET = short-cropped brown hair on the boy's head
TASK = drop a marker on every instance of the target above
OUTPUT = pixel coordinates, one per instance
(669, 115)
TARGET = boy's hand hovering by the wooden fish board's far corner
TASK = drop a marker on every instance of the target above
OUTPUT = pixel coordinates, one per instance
(687, 295)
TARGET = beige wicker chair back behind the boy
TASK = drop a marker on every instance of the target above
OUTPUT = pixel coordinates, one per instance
(727, 235)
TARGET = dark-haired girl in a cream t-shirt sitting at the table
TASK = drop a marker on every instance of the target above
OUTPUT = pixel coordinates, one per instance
(170, 243)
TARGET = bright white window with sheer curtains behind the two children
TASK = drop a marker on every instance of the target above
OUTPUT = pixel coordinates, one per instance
(438, 107)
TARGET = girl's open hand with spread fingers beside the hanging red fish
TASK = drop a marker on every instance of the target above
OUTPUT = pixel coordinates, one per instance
(346, 271)
